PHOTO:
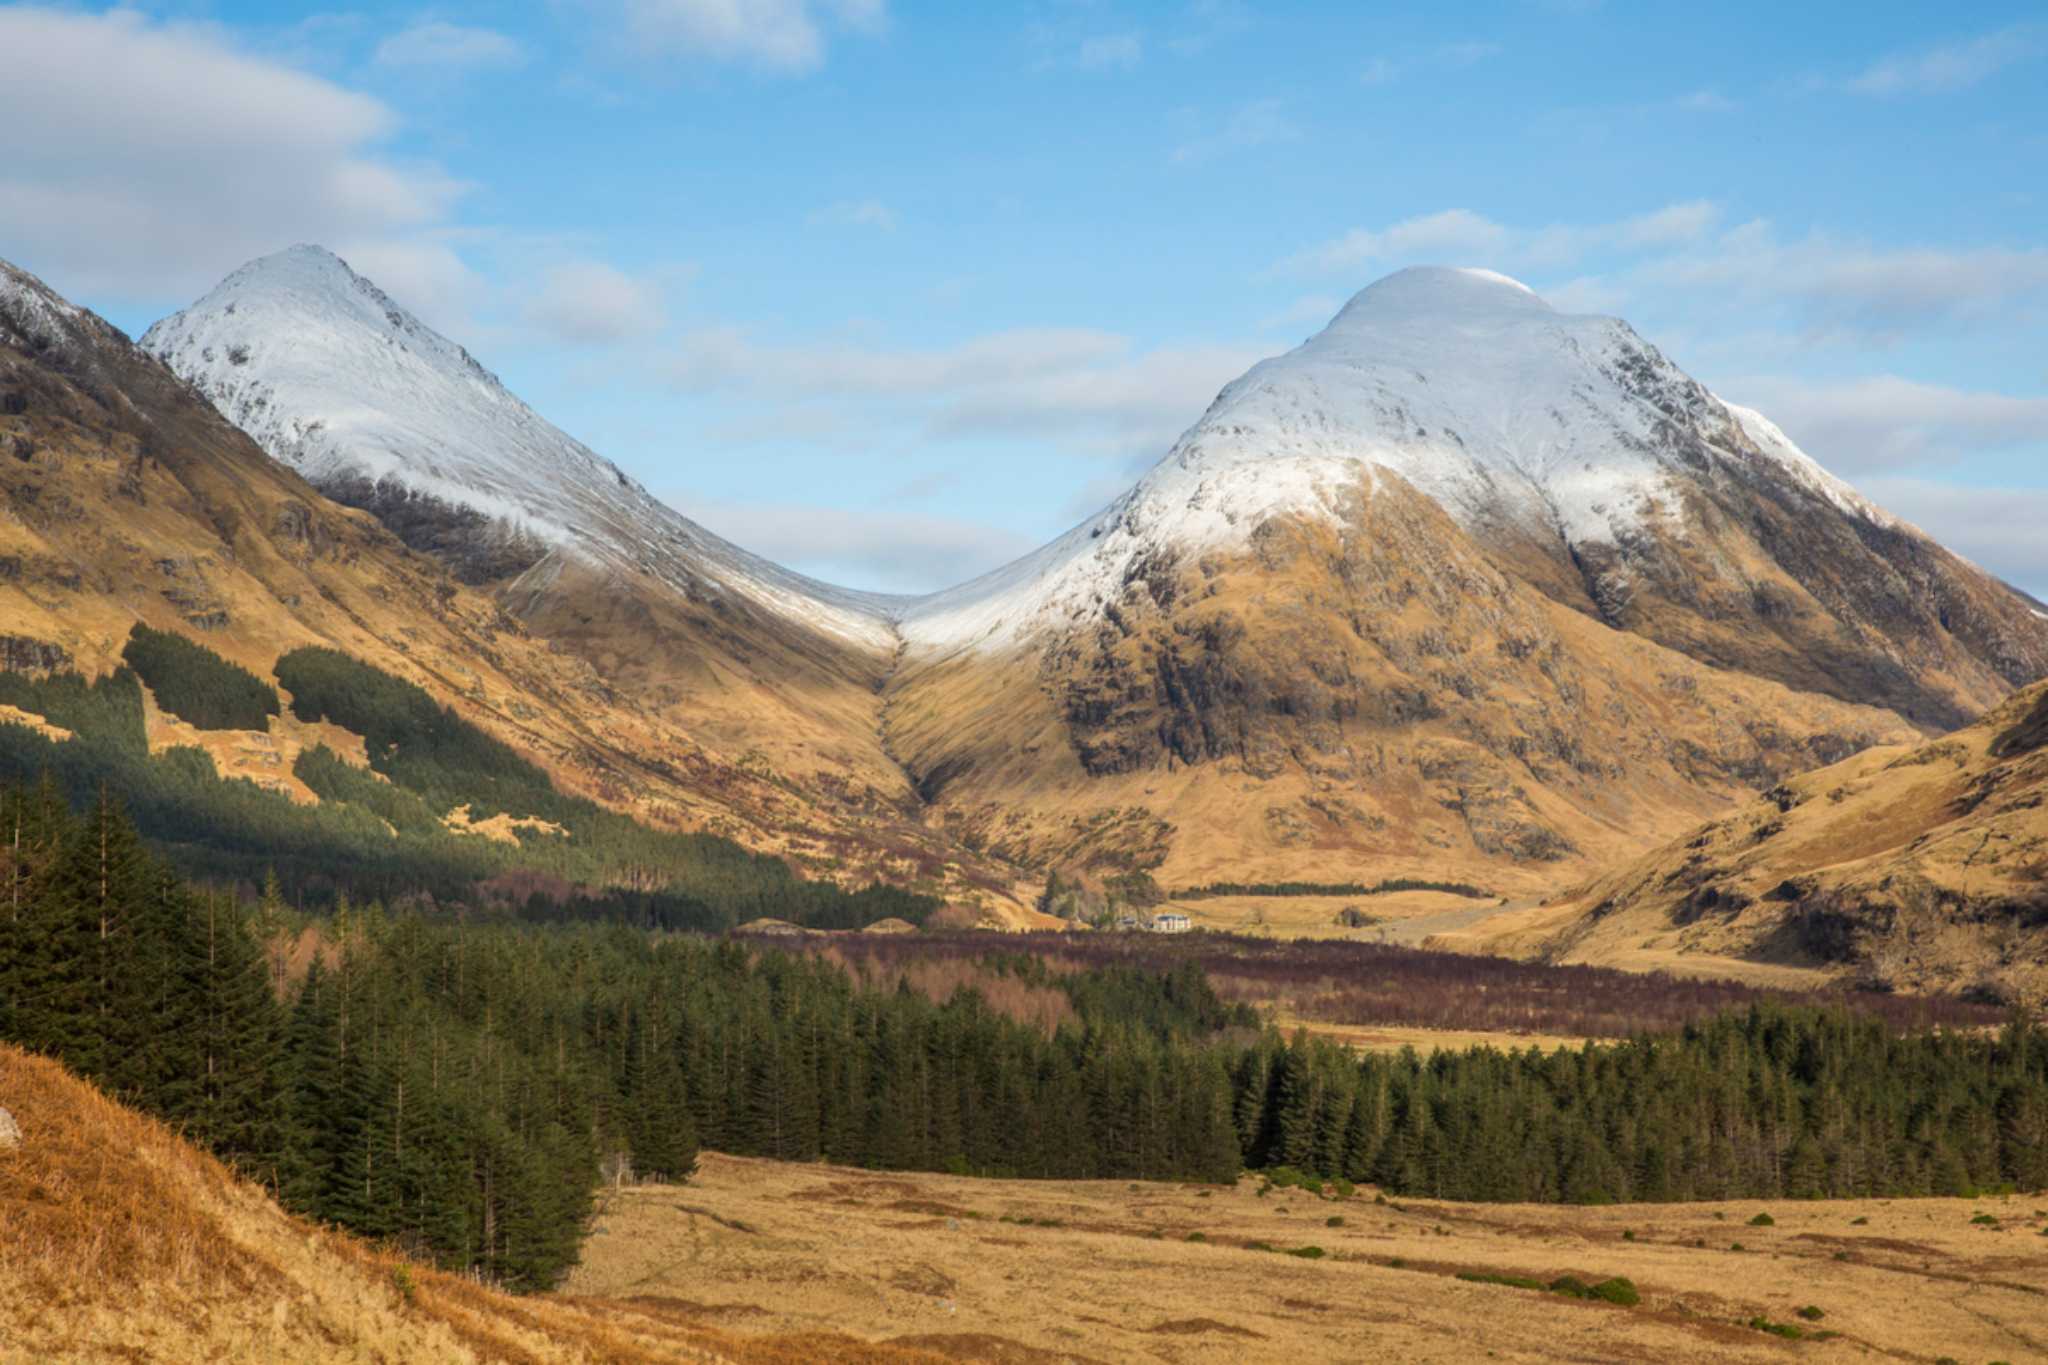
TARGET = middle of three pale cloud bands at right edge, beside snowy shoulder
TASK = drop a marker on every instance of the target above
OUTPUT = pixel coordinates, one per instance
(1887, 423)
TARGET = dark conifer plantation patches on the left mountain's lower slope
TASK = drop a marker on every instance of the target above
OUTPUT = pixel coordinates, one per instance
(386, 838)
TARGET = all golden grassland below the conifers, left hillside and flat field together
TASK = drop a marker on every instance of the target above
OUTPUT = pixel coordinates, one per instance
(120, 1241)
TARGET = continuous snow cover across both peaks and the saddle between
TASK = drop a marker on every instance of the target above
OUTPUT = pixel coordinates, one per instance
(1568, 431)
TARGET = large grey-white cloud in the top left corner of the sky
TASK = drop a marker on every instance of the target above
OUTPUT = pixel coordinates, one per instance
(165, 157)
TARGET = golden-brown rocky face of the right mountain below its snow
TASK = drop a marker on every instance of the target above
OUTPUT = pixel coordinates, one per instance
(1351, 701)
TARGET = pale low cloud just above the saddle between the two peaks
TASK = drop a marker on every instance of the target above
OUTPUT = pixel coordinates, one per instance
(873, 549)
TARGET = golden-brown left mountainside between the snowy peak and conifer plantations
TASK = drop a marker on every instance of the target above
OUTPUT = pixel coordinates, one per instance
(124, 498)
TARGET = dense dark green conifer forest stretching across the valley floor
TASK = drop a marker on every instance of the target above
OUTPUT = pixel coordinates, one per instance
(458, 1086)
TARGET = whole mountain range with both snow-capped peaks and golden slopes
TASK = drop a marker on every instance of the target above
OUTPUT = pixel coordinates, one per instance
(1461, 588)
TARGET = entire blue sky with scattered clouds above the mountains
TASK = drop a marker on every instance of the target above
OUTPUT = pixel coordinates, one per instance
(894, 292)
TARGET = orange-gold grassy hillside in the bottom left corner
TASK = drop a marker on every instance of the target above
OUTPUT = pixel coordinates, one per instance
(124, 1243)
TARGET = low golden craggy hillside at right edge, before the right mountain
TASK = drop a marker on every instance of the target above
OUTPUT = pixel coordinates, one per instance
(1912, 867)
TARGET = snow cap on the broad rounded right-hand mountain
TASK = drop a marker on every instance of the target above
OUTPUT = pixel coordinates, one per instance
(1467, 386)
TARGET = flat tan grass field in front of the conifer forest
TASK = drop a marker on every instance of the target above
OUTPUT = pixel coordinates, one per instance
(1035, 1274)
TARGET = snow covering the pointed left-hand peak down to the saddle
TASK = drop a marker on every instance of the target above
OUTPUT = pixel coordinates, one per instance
(345, 386)
